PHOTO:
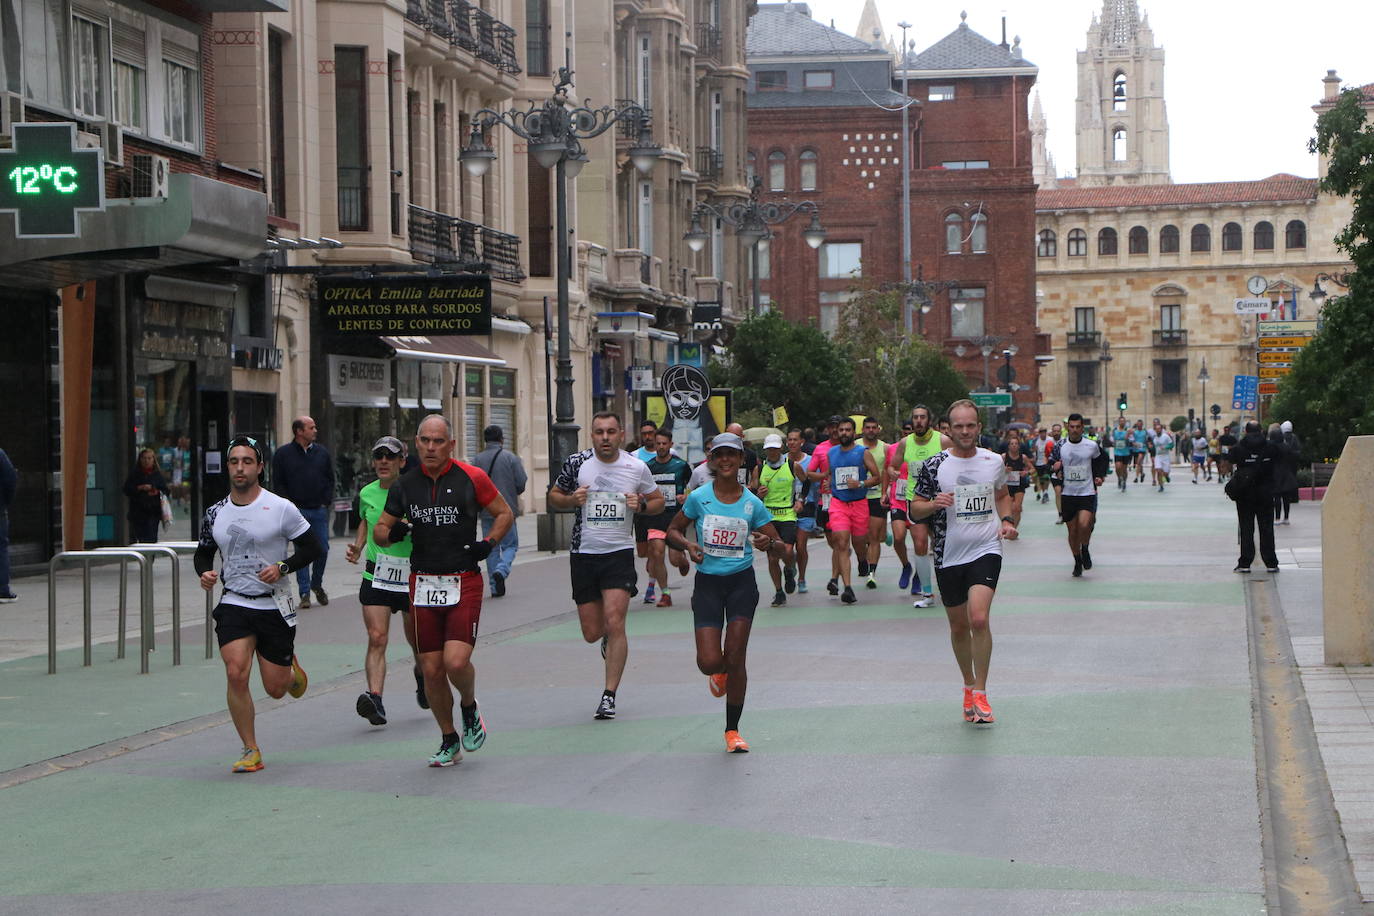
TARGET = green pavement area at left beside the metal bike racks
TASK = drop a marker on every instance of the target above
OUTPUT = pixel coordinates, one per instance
(46, 716)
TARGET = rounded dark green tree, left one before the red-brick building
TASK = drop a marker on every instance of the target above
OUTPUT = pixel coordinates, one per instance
(776, 363)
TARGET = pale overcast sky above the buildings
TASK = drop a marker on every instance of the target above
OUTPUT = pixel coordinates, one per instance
(1240, 79)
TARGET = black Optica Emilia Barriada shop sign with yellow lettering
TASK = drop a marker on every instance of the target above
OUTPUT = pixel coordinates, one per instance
(406, 307)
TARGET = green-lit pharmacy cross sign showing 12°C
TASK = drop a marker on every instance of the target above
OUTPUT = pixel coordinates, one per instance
(46, 181)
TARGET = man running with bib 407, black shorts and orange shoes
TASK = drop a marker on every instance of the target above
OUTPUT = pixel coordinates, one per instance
(964, 492)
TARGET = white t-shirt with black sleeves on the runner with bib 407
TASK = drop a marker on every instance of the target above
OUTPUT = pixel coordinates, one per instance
(972, 527)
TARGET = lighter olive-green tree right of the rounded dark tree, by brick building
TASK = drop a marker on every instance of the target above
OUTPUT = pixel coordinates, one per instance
(894, 373)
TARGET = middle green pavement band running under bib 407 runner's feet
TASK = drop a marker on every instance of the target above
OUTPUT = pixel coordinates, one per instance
(1129, 724)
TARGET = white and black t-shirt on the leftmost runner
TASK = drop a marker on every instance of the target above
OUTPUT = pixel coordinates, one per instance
(249, 539)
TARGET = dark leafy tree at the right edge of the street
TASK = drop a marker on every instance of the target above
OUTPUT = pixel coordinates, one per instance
(1328, 395)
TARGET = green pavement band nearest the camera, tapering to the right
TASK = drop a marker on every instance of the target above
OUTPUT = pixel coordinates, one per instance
(138, 834)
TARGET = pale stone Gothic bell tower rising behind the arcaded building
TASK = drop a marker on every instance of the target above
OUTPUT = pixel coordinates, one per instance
(1123, 128)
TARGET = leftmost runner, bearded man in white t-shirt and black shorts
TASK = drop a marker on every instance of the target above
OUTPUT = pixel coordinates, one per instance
(256, 615)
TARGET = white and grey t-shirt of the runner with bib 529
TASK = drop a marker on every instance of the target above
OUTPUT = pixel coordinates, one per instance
(605, 524)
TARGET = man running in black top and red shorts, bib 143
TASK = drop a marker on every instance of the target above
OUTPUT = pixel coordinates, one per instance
(442, 501)
